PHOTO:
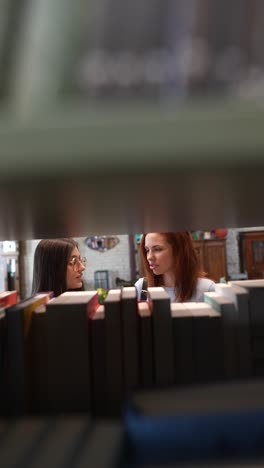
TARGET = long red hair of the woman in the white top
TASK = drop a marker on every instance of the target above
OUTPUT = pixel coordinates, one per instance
(187, 268)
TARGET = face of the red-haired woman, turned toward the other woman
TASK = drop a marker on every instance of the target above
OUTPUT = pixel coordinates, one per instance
(159, 254)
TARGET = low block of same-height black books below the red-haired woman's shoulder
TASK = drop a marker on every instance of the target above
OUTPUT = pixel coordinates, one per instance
(198, 343)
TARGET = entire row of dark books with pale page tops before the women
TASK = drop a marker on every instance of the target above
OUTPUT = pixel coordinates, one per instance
(70, 354)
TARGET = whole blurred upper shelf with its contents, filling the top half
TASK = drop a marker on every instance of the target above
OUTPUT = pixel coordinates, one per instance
(117, 119)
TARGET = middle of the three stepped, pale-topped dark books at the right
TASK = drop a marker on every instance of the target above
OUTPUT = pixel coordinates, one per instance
(240, 297)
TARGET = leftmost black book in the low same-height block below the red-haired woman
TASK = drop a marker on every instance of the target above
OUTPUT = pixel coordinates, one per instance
(182, 343)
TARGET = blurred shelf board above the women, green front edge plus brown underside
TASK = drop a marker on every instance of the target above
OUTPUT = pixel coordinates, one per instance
(78, 170)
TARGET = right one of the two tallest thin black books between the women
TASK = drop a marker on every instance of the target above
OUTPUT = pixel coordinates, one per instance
(129, 323)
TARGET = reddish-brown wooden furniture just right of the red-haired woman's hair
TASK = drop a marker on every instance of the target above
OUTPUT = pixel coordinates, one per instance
(212, 254)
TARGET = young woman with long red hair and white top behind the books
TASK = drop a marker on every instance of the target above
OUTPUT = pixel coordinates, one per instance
(169, 260)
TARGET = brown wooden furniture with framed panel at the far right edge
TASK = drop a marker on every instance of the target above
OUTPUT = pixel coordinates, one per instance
(251, 248)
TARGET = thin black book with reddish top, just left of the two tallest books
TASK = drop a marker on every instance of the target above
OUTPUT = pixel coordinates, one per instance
(98, 362)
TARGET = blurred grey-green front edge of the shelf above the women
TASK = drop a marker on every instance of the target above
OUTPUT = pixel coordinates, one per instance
(207, 133)
